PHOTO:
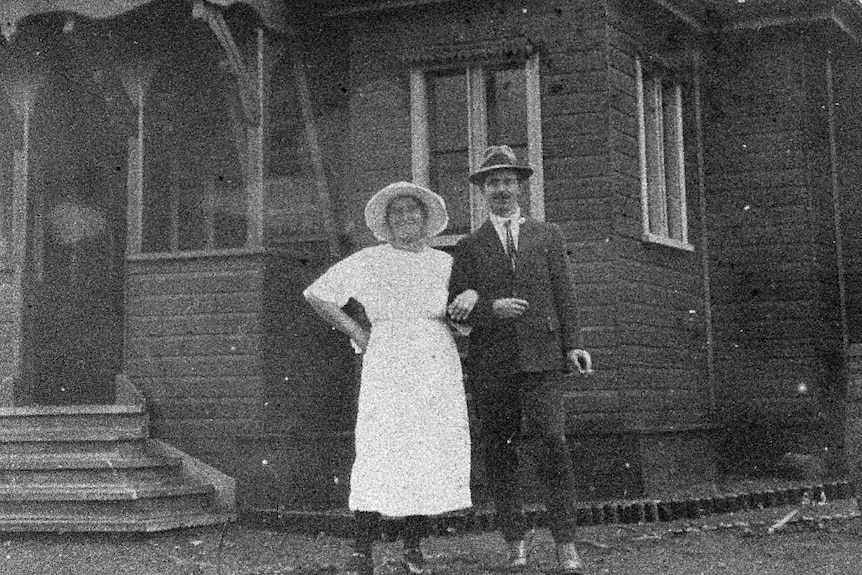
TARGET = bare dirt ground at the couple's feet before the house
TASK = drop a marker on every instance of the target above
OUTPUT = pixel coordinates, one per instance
(817, 539)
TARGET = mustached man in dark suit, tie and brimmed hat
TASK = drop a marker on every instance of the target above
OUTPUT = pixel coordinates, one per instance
(514, 290)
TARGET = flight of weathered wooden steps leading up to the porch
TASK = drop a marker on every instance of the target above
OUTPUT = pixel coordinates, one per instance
(94, 468)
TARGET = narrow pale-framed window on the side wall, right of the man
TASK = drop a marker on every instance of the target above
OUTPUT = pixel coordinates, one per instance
(662, 158)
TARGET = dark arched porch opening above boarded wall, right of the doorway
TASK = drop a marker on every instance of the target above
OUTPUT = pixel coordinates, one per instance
(193, 193)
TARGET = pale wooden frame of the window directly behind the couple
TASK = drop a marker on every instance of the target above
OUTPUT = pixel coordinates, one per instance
(477, 131)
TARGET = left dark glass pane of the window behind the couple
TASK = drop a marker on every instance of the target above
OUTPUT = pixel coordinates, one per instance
(449, 163)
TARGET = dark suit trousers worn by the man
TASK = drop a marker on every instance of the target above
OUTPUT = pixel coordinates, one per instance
(500, 404)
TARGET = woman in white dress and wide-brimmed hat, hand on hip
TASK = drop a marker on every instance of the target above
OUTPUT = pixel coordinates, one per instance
(412, 435)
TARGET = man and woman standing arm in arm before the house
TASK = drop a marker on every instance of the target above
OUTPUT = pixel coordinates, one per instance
(509, 282)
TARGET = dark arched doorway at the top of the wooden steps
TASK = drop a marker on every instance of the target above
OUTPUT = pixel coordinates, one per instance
(73, 329)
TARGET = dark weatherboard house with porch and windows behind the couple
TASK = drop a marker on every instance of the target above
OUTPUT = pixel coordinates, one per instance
(173, 174)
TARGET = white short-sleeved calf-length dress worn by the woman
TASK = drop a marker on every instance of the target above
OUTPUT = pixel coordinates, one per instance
(412, 432)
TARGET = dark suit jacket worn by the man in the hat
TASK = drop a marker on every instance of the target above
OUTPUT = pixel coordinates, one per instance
(538, 340)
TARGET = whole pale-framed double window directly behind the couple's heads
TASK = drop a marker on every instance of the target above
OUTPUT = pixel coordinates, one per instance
(456, 112)
